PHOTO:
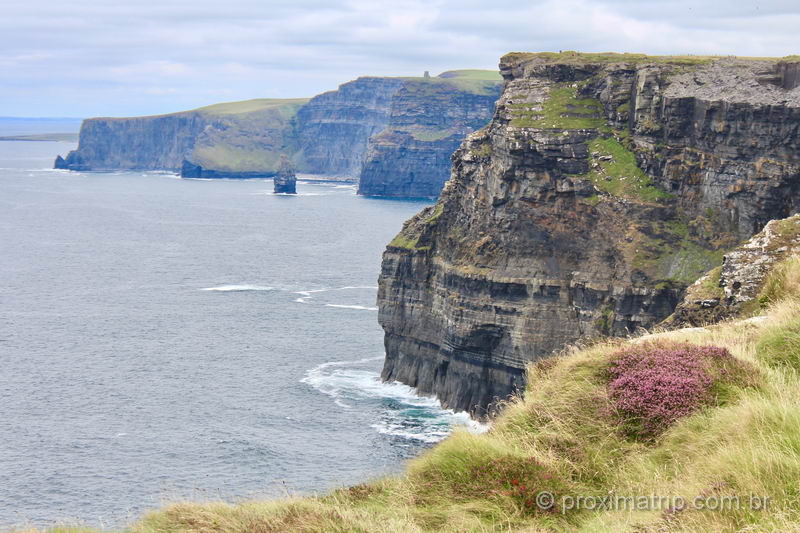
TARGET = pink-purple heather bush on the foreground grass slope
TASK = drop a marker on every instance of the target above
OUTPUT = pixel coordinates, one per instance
(652, 385)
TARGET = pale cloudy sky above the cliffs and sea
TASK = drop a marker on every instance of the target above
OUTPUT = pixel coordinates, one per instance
(87, 58)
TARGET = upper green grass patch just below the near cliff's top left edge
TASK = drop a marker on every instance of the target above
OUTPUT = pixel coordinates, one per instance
(561, 110)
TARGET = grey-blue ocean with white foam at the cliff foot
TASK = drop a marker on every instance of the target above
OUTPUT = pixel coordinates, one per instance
(164, 339)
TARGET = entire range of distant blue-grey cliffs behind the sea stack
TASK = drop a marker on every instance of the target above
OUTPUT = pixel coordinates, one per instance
(394, 135)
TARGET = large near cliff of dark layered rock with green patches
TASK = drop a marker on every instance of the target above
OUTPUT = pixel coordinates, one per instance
(603, 186)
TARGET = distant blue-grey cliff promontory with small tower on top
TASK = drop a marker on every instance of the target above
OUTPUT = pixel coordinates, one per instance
(429, 119)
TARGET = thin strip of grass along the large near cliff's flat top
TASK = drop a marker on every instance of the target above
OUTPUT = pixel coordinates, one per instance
(570, 56)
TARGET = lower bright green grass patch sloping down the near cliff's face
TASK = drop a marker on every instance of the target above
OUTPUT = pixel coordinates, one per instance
(621, 176)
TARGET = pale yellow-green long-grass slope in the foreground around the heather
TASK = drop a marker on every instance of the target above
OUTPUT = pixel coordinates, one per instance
(566, 437)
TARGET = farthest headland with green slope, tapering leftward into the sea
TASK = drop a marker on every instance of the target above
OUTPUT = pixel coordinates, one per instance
(237, 137)
